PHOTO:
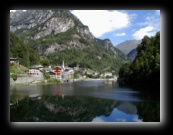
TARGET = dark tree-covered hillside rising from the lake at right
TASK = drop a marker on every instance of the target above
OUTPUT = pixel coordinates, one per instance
(144, 71)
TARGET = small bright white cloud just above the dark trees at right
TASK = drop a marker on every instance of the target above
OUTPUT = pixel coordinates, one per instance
(144, 31)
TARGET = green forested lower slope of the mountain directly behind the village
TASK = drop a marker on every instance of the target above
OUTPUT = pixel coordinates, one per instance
(94, 58)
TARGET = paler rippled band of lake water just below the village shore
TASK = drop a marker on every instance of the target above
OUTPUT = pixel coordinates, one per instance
(99, 89)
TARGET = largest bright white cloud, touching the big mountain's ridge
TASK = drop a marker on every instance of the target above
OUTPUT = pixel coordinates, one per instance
(102, 21)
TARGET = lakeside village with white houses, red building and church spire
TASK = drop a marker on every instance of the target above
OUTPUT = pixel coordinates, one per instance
(63, 73)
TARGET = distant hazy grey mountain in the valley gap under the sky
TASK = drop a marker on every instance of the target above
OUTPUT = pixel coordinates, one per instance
(128, 46)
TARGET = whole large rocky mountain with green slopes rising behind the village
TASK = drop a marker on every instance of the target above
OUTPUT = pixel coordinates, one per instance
(58, 34)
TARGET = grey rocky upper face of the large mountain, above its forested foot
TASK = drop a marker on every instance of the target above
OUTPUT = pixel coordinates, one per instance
(49, 31)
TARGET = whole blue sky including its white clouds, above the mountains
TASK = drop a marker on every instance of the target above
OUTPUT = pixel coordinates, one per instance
(120, 25)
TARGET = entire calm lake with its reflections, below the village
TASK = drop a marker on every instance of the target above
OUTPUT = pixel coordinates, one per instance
(82, 101)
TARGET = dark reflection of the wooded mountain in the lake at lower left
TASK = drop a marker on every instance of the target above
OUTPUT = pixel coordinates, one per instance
(54, 109)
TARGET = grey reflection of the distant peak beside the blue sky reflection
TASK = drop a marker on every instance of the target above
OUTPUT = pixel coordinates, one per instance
(128, 108)
